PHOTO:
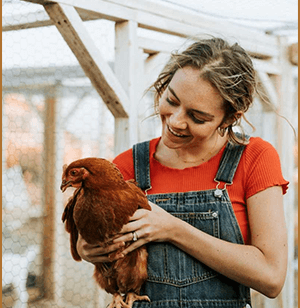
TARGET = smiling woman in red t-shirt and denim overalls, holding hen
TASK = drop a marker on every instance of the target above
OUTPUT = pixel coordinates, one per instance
(217, 225)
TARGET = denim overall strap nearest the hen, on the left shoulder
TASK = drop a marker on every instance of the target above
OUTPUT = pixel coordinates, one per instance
(141, 163)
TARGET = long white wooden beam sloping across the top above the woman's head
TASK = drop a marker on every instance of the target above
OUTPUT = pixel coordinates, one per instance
(174, 21)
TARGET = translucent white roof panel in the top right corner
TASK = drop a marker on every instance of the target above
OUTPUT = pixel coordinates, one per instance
(278, 17)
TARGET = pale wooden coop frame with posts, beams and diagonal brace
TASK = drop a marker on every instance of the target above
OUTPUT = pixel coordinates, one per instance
(120, 89)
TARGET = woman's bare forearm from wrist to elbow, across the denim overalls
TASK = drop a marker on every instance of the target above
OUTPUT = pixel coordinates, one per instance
(245, 264)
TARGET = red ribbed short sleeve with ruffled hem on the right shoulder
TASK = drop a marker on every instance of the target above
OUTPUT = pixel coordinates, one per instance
(263, 167)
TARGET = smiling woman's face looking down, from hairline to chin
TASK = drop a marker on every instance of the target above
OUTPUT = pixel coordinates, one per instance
(190, 110)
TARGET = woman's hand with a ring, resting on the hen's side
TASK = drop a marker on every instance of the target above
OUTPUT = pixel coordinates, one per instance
(150, 226)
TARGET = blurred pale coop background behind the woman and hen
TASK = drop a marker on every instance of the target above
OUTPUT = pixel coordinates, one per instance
(52, 114)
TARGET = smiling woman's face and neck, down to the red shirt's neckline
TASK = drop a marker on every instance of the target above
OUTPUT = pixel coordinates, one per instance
(191, 110)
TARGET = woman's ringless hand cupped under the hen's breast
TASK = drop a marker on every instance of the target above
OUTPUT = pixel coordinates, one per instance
(95, 253)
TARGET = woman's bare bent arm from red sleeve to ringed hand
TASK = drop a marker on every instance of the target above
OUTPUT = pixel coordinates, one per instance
(261, 265)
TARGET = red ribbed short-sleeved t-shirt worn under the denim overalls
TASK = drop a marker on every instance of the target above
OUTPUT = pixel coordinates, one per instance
(259, 168)
